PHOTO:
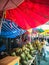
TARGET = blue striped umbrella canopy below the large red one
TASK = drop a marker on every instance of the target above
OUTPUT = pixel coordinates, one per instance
(10, 30)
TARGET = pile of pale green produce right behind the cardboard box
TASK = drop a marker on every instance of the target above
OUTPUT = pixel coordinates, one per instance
(26, 53)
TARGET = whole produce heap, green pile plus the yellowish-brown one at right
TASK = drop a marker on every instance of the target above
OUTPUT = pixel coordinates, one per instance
(27, 52)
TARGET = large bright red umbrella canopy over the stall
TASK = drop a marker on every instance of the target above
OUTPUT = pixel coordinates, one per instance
(29, 14)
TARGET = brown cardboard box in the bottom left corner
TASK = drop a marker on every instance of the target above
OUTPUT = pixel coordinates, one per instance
(10, 60)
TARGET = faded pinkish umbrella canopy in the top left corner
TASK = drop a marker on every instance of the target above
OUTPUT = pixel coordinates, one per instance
(9, 4)
